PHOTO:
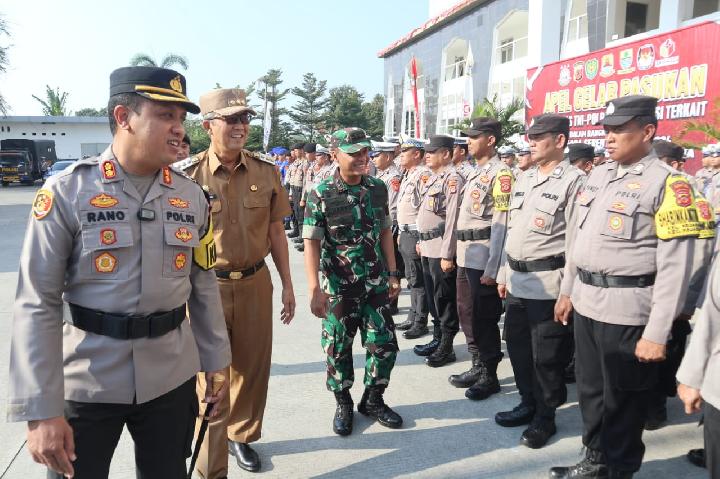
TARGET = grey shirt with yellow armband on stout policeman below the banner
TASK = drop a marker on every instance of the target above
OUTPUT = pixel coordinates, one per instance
(617, 234)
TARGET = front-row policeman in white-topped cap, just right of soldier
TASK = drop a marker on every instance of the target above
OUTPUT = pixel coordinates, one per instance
(412, 188)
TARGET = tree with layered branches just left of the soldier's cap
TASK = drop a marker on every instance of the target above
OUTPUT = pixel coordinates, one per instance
(309, 111)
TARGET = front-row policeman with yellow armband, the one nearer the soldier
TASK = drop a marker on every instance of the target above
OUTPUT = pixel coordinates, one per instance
(481, 229)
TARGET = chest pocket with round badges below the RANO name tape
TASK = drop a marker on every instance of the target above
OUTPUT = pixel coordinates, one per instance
(106, 252)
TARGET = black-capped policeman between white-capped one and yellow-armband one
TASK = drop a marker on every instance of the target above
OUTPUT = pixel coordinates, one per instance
(436, 224)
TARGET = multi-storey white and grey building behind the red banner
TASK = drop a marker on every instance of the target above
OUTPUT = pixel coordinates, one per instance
(472, 49)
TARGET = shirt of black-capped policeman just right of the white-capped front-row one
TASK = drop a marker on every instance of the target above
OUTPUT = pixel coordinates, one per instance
(439, 211)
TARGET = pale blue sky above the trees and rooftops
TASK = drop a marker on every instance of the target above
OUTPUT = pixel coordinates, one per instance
(75, 44)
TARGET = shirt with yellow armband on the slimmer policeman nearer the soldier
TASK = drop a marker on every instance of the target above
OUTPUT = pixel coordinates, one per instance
(485, 204)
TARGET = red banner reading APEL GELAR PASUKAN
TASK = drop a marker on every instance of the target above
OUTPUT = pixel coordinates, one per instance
(681, 68)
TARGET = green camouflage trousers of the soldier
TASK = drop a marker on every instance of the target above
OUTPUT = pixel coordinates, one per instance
(371, 315)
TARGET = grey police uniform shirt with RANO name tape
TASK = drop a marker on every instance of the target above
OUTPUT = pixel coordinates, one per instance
(86, 245)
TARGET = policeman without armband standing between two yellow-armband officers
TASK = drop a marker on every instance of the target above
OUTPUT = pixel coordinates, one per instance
(541, 209)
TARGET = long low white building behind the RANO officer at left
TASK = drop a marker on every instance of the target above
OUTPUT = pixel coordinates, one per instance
(74, 136)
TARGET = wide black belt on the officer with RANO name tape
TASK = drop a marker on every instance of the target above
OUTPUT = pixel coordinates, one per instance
(126, 326)
